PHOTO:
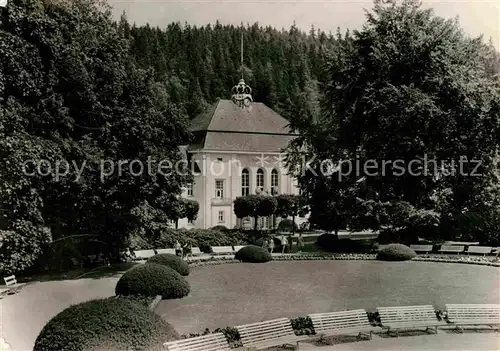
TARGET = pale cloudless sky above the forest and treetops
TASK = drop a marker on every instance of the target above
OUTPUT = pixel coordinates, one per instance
(476, 17)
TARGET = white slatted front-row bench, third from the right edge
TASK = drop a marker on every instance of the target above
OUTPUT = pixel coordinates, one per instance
(344, 322)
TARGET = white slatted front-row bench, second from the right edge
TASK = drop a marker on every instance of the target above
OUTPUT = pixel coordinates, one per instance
(408, 317)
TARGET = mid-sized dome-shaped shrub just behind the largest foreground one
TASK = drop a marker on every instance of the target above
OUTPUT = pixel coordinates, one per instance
(152, 279)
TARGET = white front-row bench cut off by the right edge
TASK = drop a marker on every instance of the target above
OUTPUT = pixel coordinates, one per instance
(462, 315)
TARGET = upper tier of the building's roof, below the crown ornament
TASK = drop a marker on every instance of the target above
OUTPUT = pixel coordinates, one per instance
(226, 116)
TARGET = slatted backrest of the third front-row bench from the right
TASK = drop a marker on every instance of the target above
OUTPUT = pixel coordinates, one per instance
(339, 320)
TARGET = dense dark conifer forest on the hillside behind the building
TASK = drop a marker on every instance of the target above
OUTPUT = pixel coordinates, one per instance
(284, 68)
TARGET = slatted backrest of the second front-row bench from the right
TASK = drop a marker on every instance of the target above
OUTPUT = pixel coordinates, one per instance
(397, 314)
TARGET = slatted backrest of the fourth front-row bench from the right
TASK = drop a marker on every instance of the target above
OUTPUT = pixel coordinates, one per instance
(262, 331)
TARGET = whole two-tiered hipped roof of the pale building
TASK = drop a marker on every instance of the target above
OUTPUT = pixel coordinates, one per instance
(225, 126)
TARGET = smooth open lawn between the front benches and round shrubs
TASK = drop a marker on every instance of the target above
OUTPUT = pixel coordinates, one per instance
(233, 294)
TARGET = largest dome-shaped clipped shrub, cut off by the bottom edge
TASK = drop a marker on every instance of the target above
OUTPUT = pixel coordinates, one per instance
(106, 324)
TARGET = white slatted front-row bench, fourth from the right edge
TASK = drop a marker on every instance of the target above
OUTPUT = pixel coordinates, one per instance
(270, 333)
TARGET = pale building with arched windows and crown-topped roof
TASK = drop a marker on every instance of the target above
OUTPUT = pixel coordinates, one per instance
(236, 151)
